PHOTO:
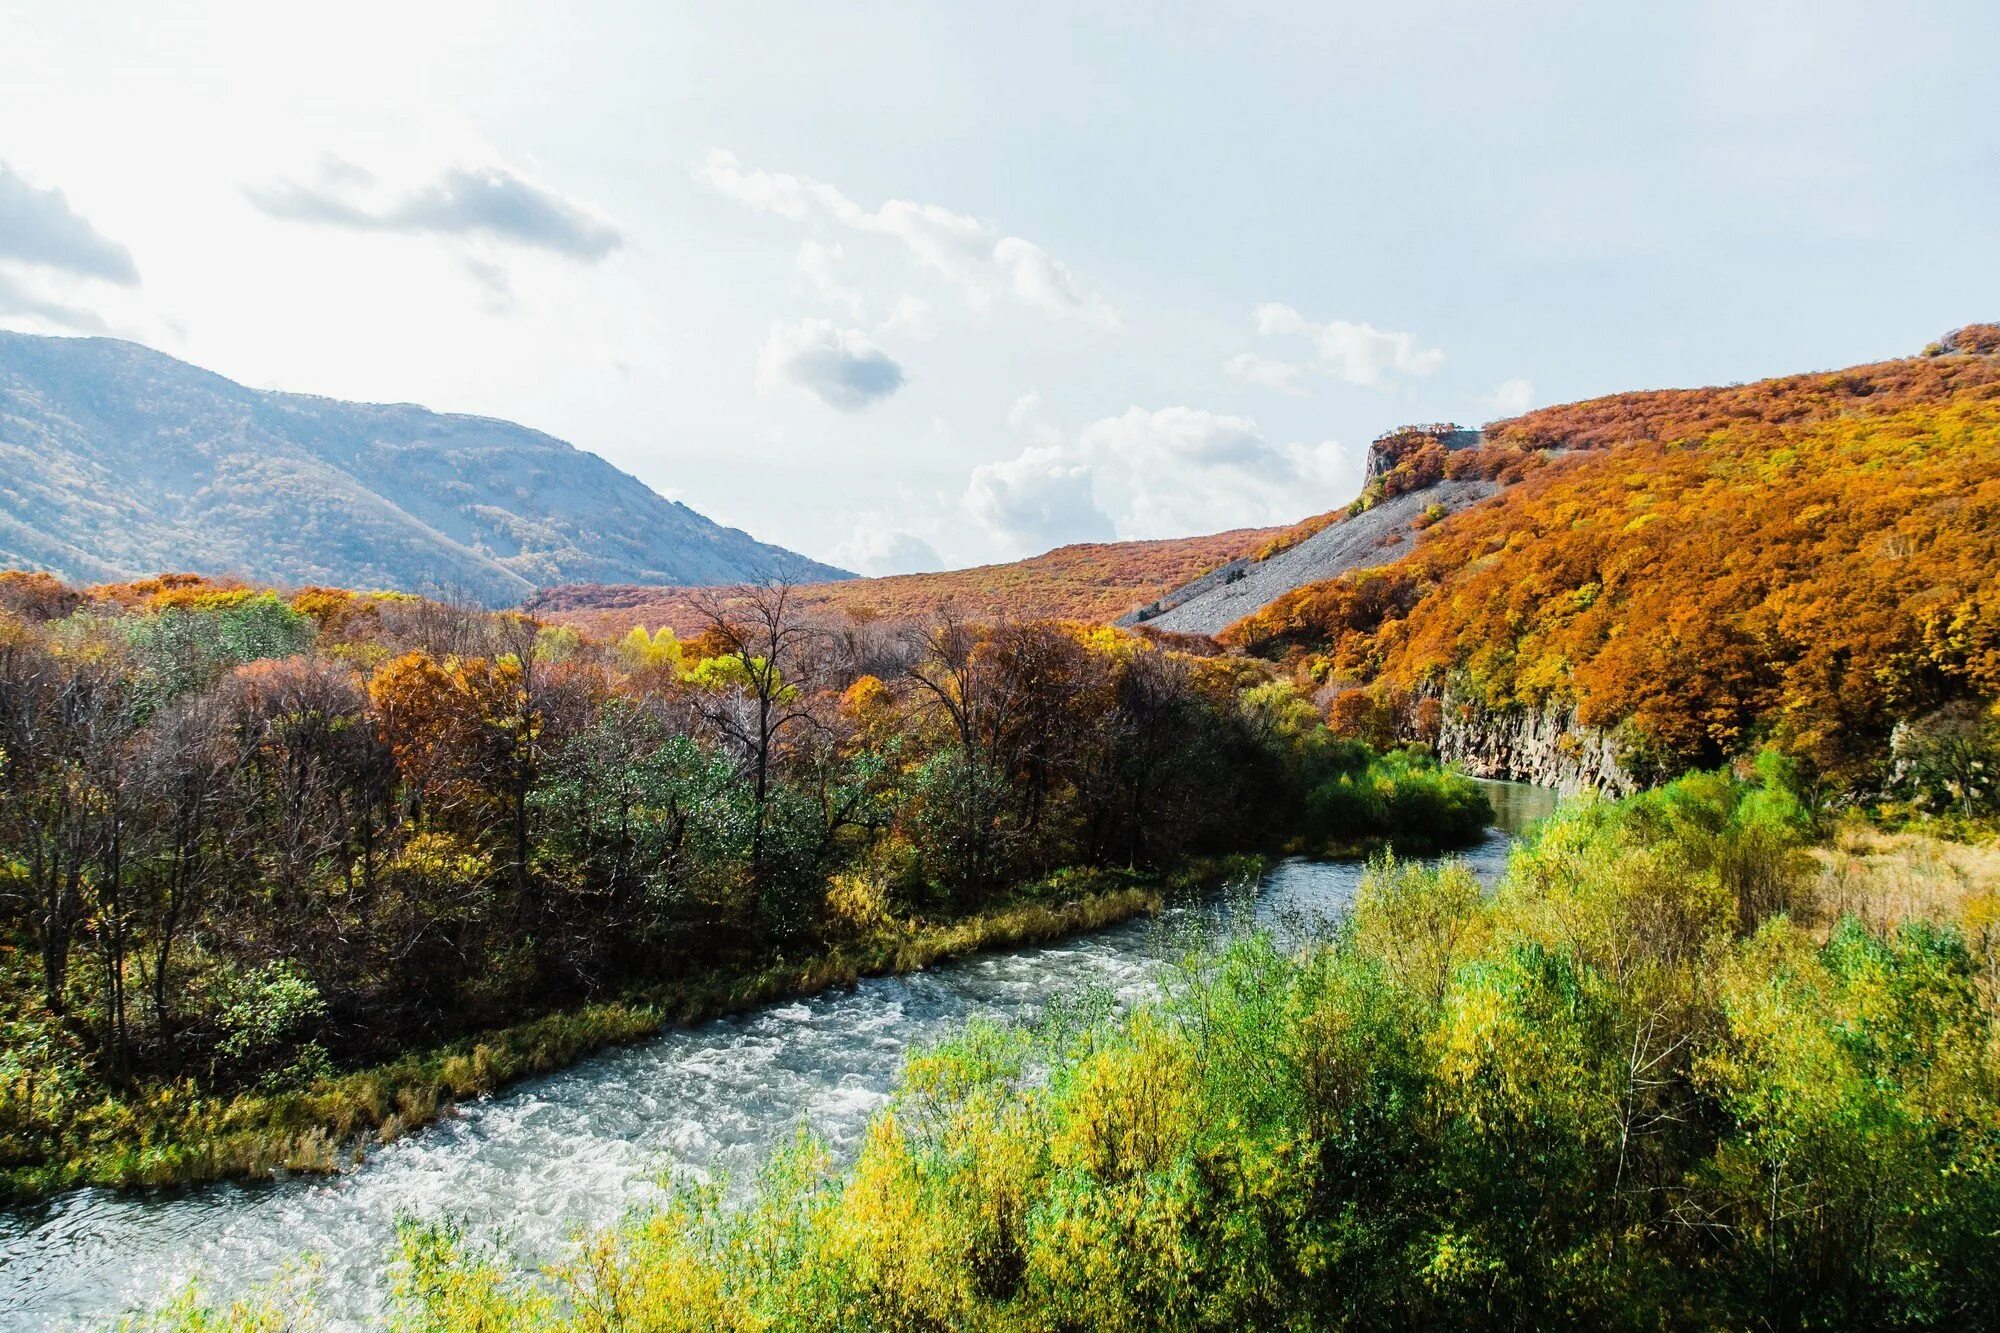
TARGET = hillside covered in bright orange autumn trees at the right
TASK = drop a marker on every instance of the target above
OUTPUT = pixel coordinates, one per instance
(1809, 561)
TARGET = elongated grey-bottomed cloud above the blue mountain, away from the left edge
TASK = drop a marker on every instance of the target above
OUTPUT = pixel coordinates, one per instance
(461, 201)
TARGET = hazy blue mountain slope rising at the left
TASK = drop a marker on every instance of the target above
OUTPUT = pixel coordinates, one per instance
(121, 461)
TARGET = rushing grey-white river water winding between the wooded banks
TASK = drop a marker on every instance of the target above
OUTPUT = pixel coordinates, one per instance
(583, 1146)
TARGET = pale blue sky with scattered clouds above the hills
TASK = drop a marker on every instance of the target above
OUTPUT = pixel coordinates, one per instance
(929, 285)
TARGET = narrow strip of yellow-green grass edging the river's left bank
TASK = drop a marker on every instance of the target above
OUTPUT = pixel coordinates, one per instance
(181, 1136)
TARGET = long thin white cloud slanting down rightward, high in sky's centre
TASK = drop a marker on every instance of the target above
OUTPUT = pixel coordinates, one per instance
(969, 253)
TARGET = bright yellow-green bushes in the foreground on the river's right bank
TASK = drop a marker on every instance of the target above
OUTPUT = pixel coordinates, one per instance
(1653, 1082)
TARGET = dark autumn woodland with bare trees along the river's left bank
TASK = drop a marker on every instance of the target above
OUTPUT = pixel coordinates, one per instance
(251, 840)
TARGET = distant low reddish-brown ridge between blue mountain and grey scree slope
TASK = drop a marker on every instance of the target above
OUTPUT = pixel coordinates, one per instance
(1089, 581)
